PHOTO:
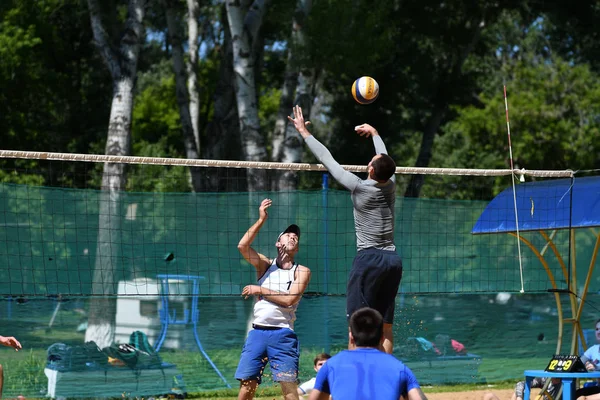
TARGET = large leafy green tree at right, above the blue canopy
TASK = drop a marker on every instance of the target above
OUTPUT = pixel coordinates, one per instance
(553, 106)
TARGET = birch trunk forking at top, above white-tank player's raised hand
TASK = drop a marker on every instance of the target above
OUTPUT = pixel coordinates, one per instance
(243, 35)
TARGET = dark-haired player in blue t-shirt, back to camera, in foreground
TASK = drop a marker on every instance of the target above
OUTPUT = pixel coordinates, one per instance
(366, 372)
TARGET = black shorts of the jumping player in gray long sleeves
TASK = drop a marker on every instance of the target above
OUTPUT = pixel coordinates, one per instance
(374, 281)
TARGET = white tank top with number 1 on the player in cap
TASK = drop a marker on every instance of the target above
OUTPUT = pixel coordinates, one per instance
(267, 313)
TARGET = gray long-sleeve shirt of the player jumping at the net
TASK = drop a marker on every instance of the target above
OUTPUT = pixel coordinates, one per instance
(373, 201)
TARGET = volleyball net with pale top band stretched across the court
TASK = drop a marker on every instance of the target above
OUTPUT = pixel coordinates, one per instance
(51, 225)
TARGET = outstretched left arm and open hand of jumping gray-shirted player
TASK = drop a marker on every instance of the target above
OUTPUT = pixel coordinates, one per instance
(345, 178)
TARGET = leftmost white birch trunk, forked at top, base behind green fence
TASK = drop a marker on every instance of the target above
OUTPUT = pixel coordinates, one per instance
(122, 63)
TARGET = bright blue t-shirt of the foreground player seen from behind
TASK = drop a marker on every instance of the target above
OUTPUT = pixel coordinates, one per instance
(365, 373)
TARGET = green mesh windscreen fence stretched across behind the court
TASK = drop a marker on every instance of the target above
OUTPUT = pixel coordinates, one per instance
(166, 264)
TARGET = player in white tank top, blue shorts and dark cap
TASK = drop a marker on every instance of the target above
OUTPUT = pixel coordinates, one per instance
(281, 283)
